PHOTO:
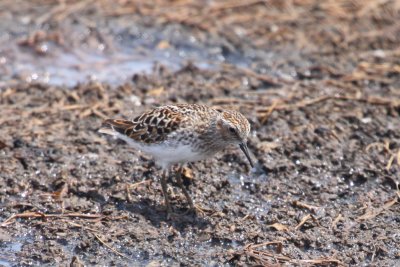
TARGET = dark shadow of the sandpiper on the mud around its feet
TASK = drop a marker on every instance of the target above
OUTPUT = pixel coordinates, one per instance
(156, 214)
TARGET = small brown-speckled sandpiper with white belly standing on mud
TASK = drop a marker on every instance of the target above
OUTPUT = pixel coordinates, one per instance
(177, 134)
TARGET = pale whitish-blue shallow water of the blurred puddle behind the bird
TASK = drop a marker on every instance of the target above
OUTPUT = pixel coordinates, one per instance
(70, 69)
